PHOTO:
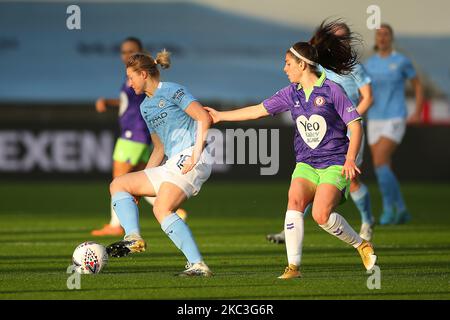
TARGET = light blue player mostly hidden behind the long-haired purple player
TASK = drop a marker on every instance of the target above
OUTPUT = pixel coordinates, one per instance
(357, 87)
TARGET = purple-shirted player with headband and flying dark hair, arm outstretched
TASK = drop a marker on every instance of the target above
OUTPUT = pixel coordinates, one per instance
(325, 156)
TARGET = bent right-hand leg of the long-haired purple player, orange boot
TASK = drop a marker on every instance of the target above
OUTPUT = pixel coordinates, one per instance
(327, 198)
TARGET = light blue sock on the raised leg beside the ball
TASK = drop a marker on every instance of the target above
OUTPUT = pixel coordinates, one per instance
(127, 211)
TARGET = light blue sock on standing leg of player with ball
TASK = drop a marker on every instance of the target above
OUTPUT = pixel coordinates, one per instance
(180, 234)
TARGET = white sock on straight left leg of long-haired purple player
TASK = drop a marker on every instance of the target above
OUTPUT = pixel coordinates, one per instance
(293, 230)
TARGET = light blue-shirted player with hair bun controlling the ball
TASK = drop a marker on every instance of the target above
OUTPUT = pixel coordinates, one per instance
(178, 126)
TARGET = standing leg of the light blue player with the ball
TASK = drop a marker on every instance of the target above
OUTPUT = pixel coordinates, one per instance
(169, 198)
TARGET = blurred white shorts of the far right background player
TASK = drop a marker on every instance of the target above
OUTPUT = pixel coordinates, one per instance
(393, 129)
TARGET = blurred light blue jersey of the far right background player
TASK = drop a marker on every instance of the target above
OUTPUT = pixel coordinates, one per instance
(388, 82)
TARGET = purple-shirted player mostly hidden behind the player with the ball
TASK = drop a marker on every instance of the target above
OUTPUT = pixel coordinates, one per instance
(133, 147)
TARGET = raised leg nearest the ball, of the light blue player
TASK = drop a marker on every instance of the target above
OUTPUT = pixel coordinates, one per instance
(125, 191)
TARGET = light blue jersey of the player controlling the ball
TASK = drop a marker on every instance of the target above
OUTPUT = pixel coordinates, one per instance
(165, 115)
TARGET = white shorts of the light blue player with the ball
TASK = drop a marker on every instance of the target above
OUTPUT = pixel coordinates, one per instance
(170, 171)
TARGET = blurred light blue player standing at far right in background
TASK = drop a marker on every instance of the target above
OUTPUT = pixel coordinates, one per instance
(386, 124)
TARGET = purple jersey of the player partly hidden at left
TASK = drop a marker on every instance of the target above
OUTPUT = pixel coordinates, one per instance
(132, 125)
